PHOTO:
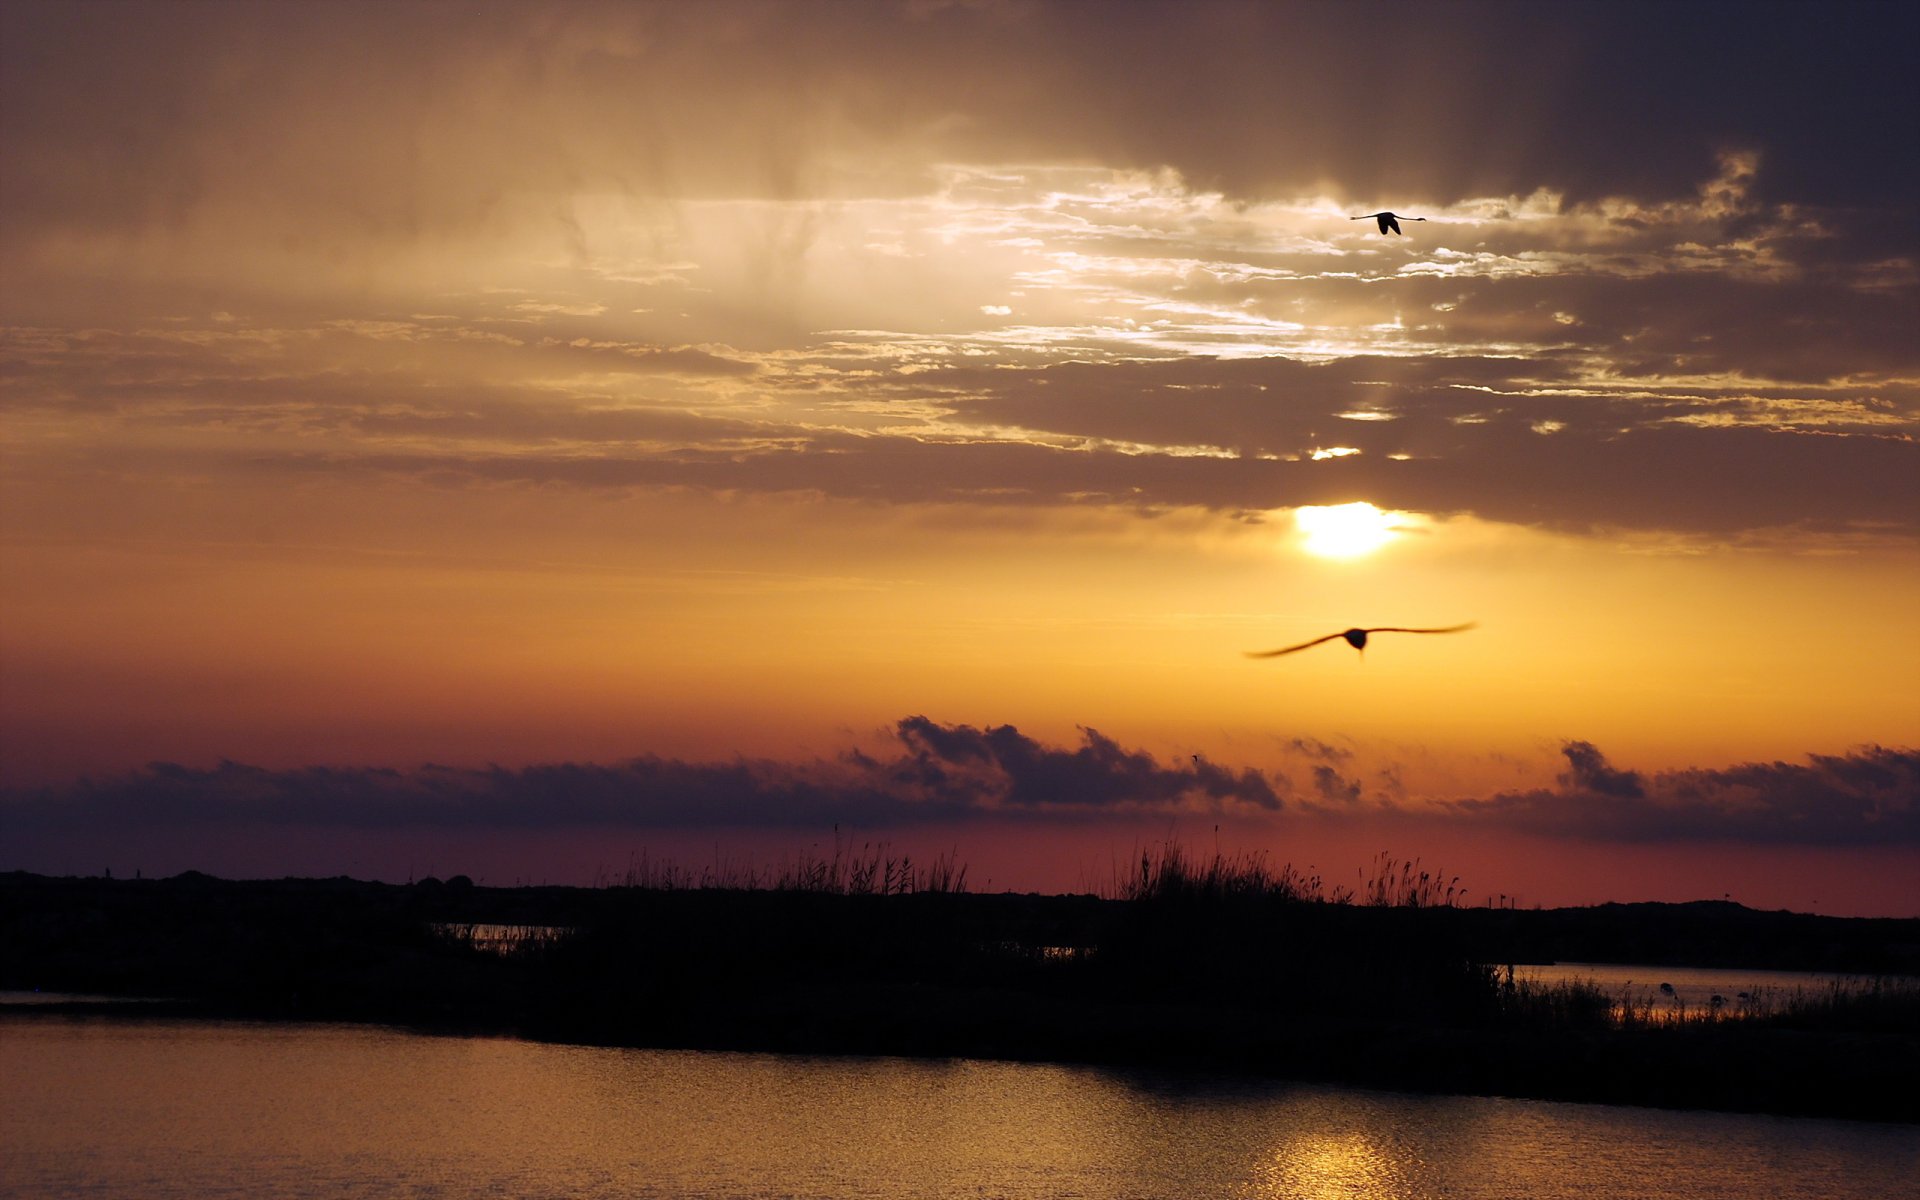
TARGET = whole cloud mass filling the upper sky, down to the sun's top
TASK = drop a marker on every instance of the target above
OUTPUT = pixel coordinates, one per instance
(777, 249)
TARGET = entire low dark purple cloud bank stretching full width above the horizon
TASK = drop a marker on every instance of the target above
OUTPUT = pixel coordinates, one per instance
(942, 775)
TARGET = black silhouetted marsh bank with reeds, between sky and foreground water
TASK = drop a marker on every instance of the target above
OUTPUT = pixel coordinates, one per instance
(1218, 961)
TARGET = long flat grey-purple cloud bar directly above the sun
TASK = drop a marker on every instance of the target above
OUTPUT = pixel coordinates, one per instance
(1671, 479)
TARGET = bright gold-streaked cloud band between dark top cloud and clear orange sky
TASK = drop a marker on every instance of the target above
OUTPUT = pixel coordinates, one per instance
(1178, 350)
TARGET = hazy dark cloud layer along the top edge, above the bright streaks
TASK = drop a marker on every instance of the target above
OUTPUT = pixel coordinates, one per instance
(416, 114)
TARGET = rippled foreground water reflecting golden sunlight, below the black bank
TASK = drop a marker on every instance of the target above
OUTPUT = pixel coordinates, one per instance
(199, 1109)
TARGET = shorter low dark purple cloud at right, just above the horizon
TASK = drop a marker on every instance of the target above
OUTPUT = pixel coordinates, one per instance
(1863, 798)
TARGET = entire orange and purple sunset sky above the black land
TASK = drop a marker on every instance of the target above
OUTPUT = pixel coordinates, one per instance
(514, 441)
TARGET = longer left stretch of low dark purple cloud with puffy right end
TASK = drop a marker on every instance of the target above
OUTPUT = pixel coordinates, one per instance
(932, 775)
